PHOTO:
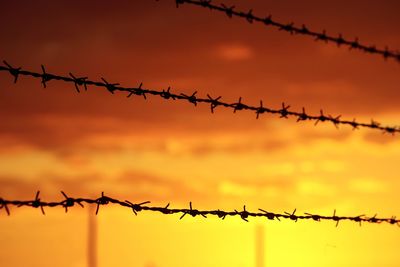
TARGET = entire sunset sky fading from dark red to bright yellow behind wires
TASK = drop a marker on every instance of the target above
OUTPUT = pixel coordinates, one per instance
(54, 139)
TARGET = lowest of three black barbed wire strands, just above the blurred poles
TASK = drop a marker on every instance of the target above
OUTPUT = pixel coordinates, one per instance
(244, 214)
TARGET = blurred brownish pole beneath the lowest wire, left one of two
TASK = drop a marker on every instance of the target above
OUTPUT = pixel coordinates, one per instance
(92, 237)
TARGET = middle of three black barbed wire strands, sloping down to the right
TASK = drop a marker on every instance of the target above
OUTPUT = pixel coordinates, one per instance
(214, 102)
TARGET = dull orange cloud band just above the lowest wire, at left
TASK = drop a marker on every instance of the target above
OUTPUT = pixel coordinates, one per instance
(135, 185)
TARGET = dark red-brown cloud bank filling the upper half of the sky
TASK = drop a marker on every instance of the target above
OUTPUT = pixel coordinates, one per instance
(155, 43)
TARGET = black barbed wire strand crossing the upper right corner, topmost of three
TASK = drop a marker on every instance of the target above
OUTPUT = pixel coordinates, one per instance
(292, 29)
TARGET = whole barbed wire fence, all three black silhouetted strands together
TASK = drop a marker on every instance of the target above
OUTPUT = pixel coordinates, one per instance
(214, 102)
